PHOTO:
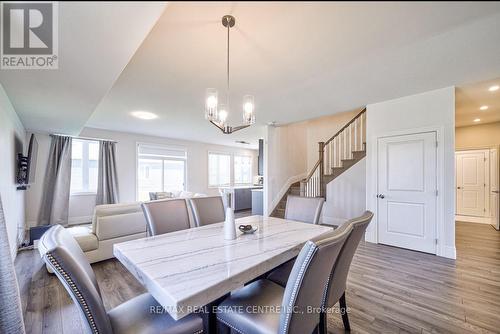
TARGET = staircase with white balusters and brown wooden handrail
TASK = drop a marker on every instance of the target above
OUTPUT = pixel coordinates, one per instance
(343, 150)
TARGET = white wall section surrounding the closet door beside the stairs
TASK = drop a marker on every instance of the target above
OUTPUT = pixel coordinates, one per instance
(430, 110)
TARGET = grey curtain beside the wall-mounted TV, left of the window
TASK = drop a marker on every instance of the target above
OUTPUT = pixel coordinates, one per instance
(56, 189)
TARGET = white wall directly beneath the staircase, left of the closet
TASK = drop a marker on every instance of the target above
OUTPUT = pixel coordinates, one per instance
(346, 195)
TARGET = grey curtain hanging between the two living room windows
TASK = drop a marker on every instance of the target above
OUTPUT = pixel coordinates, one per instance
(107, 181)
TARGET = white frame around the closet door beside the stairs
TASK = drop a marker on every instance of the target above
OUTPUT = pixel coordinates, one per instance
(440, 172)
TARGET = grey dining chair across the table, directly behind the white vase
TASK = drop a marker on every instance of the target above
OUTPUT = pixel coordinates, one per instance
(207, 210)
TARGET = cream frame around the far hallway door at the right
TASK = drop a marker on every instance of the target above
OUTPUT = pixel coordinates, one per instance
(487, 199)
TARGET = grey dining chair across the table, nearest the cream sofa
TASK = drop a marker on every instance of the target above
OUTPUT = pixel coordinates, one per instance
(166, 216)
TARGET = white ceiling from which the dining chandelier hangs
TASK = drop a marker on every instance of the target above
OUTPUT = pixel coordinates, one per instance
(299, 60)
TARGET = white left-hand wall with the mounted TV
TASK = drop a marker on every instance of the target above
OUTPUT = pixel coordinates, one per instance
(12, 139)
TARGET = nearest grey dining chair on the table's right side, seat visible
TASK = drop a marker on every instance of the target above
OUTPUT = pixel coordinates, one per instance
(284, 310)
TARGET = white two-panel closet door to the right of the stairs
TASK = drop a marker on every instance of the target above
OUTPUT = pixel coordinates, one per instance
(407, 191)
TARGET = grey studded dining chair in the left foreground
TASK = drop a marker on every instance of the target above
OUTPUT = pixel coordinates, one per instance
(63, 255)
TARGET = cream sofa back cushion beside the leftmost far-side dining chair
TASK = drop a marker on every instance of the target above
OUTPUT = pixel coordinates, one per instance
(120, 225)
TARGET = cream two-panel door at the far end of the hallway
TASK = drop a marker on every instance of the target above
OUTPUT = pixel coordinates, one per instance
(471, 173)
